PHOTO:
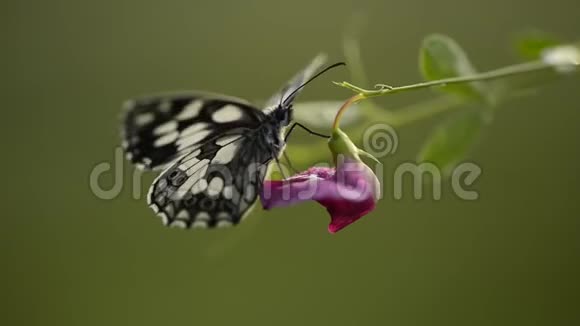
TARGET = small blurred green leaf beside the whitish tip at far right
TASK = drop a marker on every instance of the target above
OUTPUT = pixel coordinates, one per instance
(530, 44)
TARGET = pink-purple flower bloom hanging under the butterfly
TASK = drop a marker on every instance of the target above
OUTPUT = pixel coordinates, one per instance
(348, 192)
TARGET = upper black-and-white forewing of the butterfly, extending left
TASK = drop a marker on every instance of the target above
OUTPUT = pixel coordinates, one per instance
(159, 129)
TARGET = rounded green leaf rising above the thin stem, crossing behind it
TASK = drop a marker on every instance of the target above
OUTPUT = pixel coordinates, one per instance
(441, 57)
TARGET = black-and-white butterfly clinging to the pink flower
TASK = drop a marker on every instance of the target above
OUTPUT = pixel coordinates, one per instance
(214, 150)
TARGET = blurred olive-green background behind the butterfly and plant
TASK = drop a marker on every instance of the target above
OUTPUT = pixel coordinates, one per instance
(69, 258)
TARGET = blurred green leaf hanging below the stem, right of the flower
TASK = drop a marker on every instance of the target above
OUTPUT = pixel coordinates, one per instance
(450, 142)
